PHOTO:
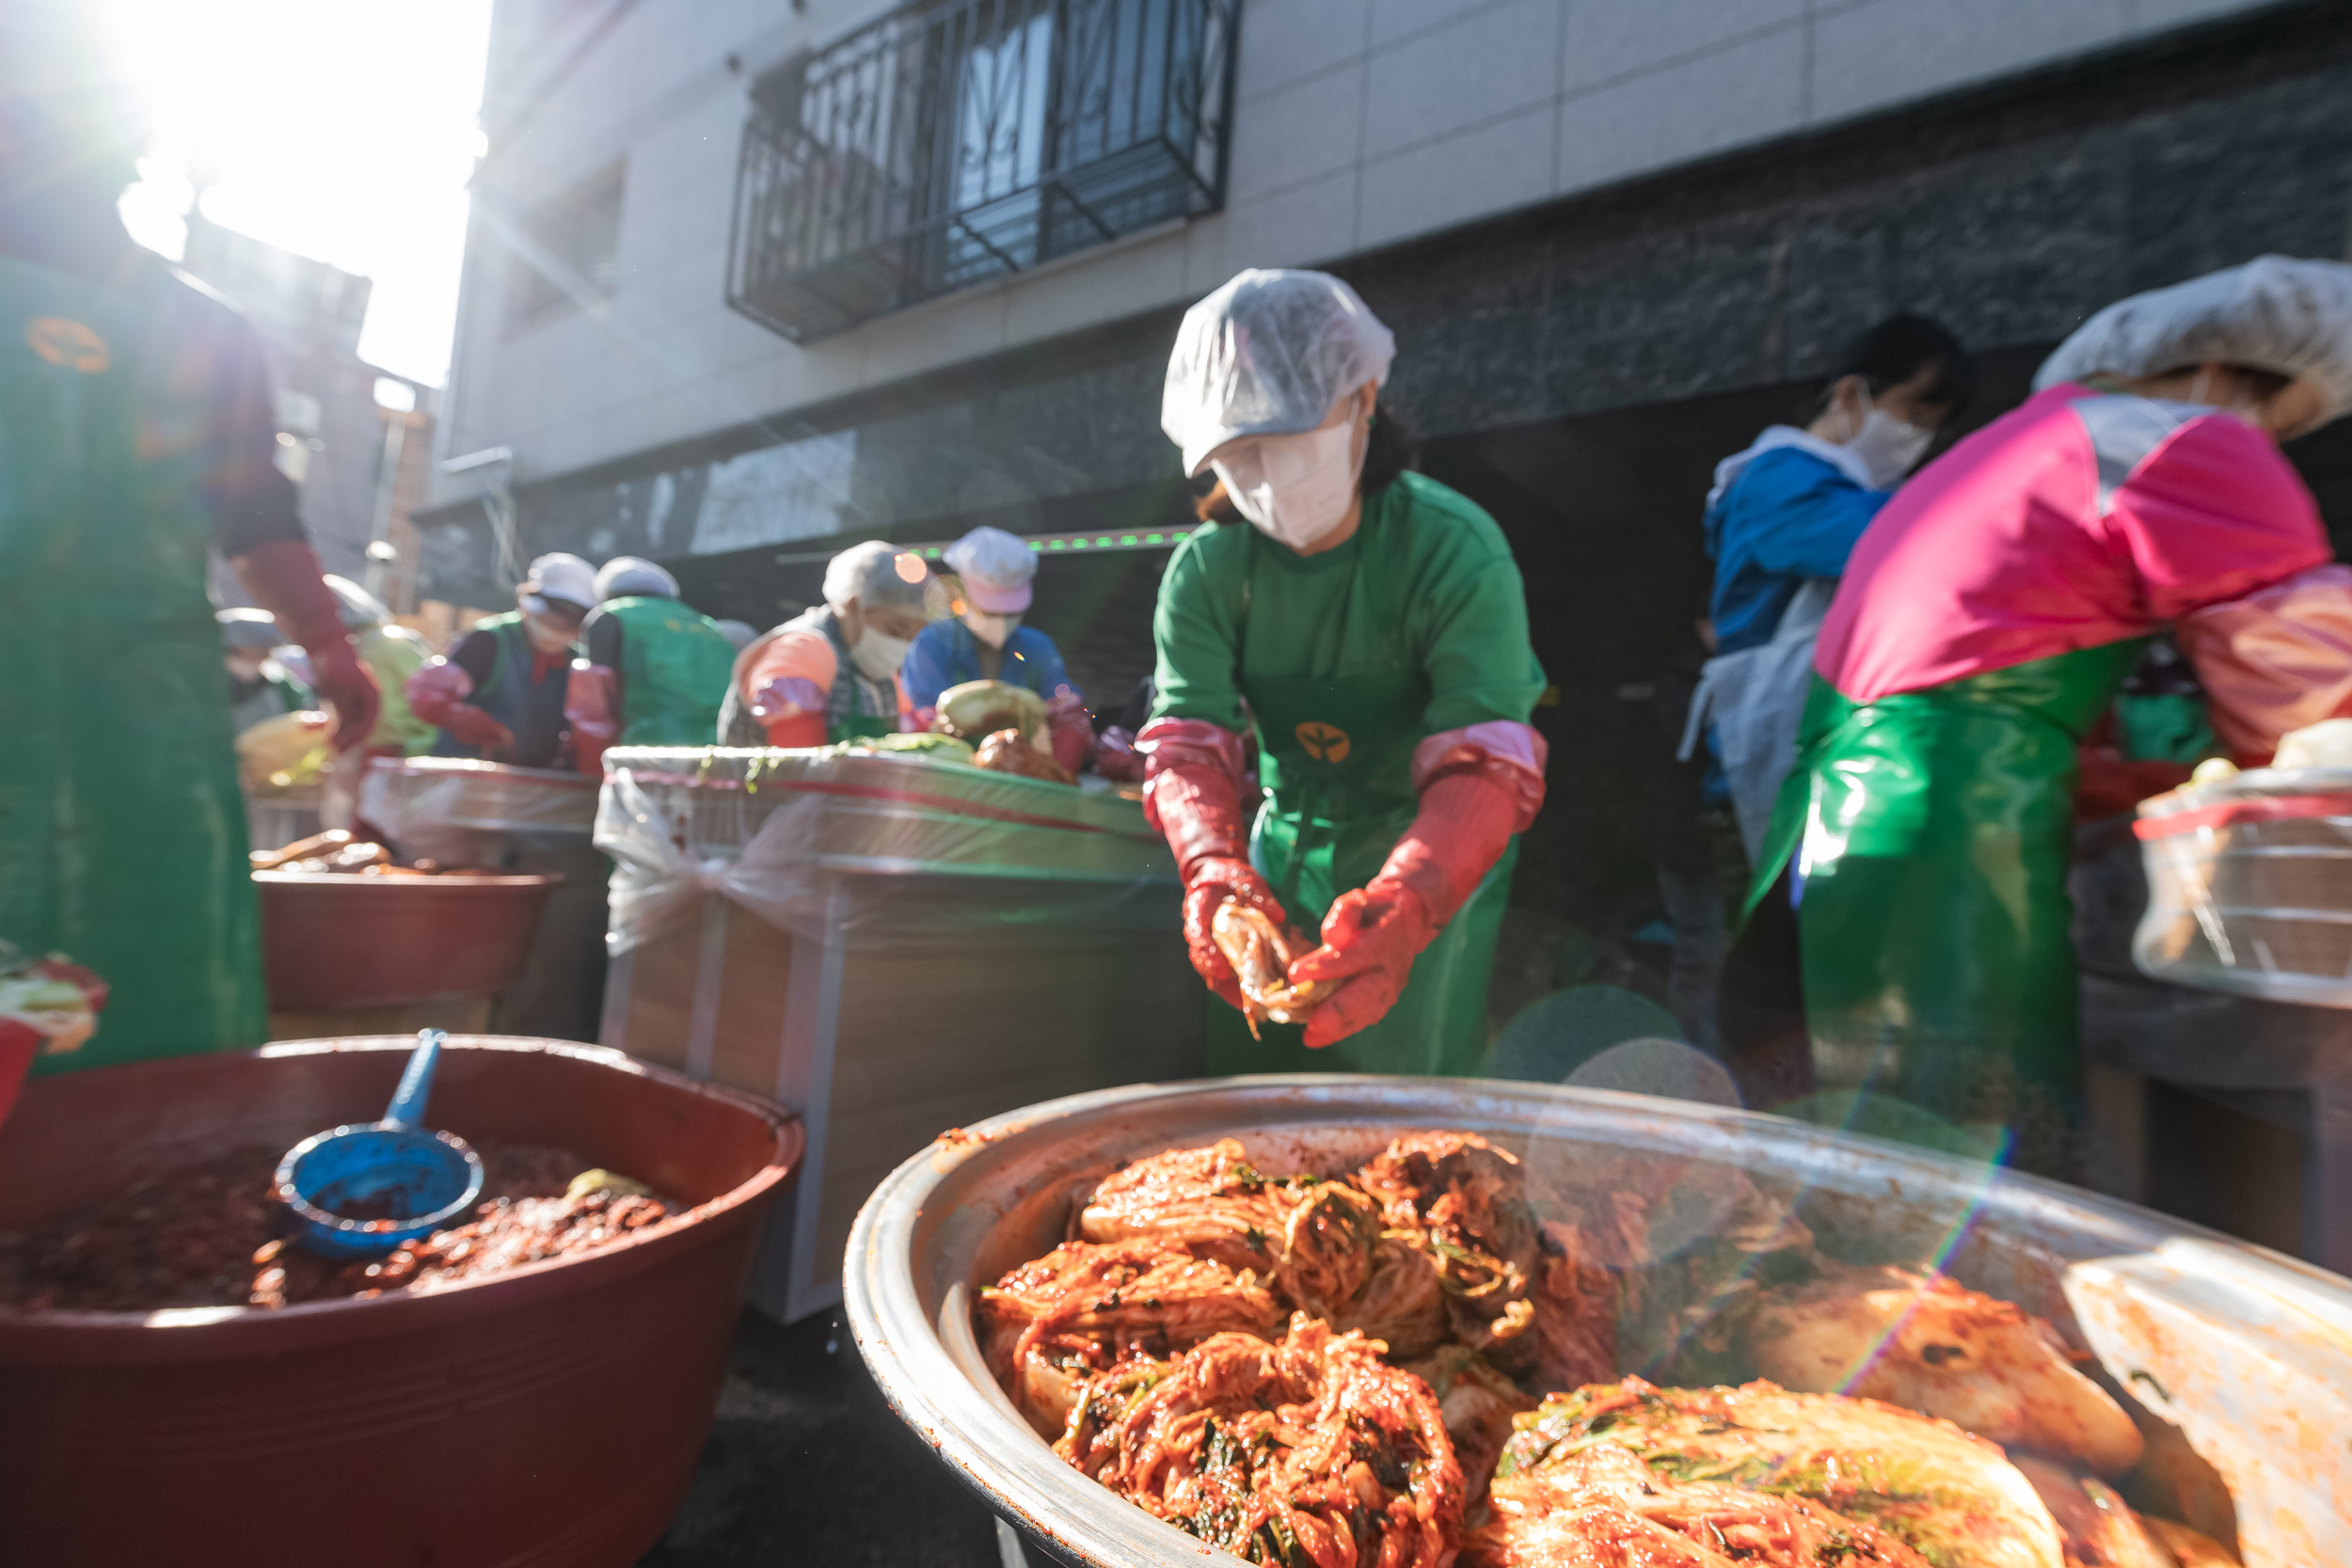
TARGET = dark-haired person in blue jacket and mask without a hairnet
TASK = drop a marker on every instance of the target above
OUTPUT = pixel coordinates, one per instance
(1782, 523)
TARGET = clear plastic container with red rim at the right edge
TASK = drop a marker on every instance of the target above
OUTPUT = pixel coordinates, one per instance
(2250, 887)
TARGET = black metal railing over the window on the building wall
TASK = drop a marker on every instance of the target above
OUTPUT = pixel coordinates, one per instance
(949, 145)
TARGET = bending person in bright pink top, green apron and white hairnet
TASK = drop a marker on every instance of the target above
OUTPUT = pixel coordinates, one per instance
(1989, 617)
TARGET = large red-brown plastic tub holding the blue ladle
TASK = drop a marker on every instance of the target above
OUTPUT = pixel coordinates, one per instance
(549, 1416)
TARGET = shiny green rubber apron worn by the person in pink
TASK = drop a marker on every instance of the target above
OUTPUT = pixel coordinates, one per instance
(1935, 833)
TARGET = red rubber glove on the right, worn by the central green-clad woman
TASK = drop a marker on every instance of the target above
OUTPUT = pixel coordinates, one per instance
(1375, 932)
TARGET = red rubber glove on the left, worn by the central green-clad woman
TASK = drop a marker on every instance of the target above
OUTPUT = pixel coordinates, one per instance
(1191, 793)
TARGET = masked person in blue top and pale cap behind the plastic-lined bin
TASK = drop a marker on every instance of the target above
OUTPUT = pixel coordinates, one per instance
(987, 641)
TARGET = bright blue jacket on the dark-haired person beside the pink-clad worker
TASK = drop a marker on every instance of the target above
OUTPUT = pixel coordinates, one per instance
(1784, 518)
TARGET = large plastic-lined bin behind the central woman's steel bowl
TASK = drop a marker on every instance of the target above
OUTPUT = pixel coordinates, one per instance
(888, 946)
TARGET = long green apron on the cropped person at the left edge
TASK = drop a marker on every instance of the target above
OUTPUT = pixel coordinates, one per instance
(121, 824)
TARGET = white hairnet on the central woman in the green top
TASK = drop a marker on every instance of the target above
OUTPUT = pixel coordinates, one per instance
(1269, 356)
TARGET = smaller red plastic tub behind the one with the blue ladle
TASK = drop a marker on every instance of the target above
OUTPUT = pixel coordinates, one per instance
(335, 942)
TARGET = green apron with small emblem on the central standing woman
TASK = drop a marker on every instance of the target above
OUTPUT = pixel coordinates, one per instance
(1337, 758)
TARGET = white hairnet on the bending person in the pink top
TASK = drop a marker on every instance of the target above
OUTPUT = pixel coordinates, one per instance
(2276, 314)
